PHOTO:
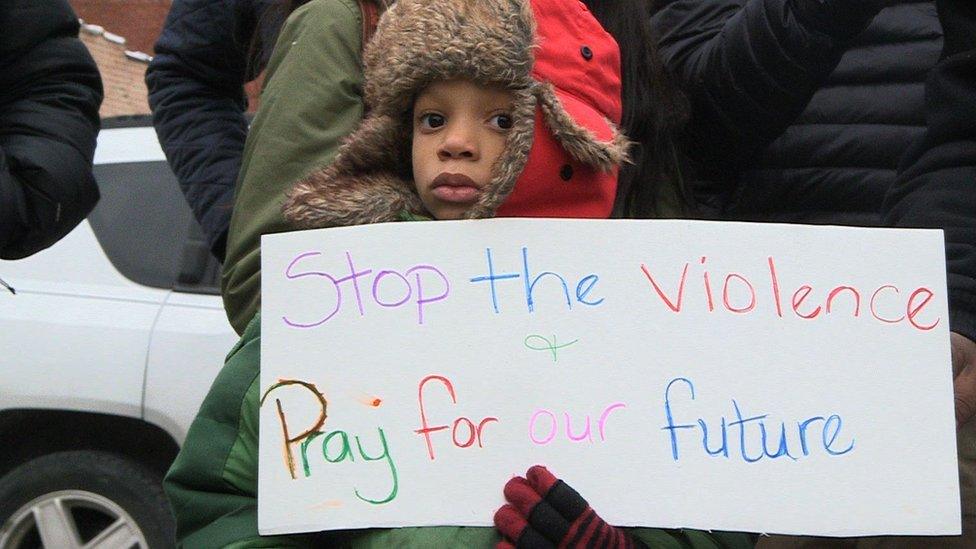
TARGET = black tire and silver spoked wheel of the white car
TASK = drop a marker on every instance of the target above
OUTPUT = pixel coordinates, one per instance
(84, 495)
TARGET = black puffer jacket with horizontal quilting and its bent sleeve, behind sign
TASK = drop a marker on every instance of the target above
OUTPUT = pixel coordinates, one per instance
(842, 105)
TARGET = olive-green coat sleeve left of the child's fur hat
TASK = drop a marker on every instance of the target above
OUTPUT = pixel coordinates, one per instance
(311, 100)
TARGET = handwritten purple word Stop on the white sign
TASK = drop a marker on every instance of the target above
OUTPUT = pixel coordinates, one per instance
(413, 285)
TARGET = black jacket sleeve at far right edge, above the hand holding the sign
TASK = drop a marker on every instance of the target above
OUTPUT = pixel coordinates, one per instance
(937, 182)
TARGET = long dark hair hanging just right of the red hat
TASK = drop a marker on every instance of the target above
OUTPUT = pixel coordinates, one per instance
(655, 114)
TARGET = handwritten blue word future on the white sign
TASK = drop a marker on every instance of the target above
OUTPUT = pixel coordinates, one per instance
(756, 438)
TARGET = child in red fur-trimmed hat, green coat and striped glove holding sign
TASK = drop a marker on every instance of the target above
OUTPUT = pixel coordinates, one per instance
(501, 107)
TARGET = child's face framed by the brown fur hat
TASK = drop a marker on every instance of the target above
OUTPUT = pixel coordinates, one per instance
(459, 131)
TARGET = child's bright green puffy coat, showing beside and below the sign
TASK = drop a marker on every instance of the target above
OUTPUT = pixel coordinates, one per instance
(212, 485)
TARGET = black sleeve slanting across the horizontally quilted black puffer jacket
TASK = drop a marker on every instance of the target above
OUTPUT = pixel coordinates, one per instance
(751, 66)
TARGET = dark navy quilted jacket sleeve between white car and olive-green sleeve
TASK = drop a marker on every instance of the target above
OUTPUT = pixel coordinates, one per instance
(196, 92)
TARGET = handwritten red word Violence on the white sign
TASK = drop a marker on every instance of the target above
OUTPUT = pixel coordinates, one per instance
(739, 296)
